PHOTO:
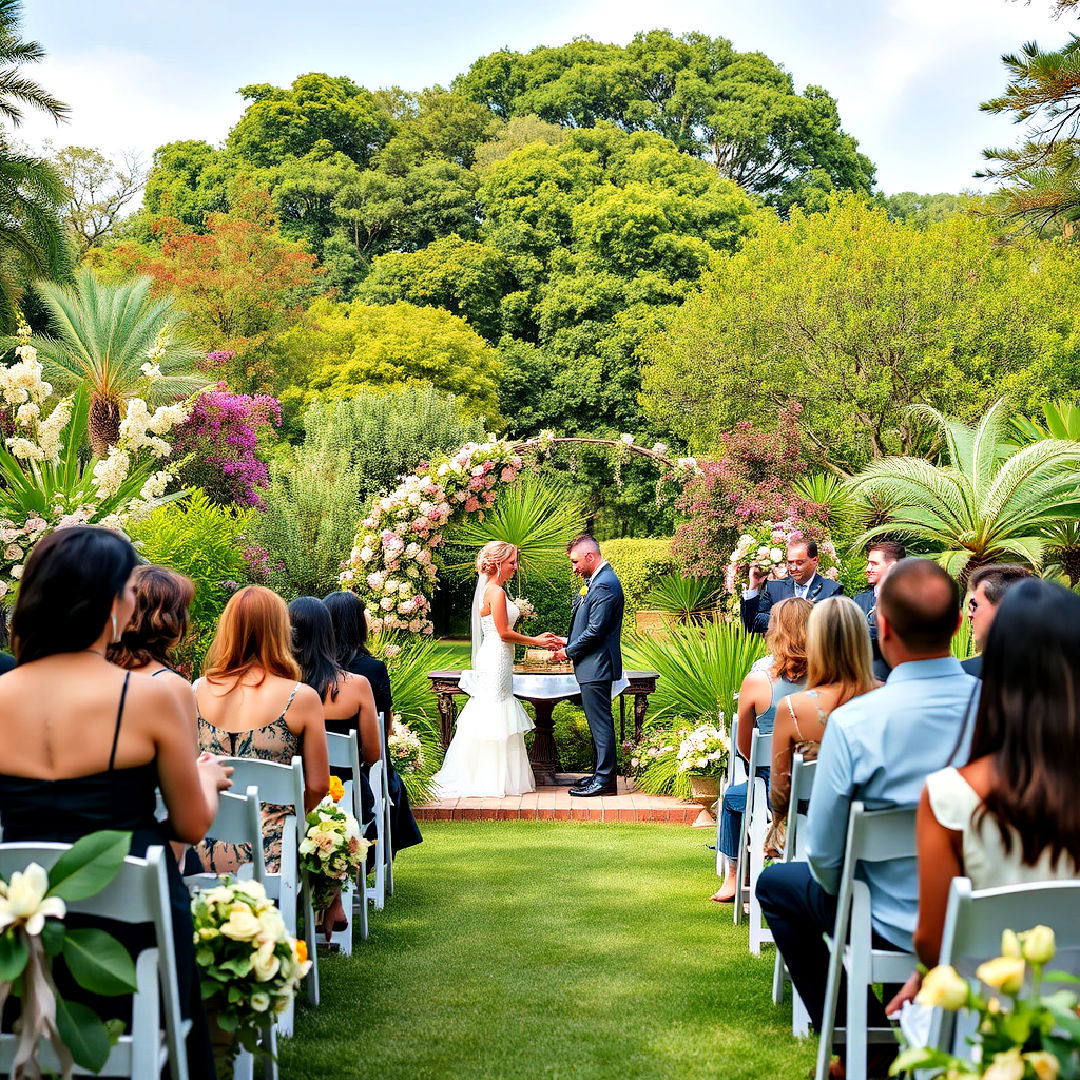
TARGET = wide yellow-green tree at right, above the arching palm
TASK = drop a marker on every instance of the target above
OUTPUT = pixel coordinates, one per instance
(856, 317)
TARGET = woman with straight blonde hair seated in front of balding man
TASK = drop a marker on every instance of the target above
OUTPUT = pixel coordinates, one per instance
(839, 669)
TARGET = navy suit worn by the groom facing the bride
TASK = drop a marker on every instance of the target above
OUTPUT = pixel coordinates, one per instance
(595, 647)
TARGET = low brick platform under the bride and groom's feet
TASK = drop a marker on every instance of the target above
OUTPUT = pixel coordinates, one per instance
(557, 804)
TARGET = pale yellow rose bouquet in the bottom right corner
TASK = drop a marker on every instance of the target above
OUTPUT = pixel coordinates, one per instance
(1028, 1036)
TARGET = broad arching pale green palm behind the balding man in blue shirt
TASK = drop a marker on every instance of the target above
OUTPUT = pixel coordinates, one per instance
(990, 502)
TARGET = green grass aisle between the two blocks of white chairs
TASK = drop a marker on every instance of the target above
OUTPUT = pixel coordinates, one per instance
(523, 950)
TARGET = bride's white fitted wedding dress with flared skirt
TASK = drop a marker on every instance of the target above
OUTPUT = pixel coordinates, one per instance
(488, 755)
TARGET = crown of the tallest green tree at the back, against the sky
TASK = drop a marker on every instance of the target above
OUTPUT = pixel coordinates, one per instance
(738, 111)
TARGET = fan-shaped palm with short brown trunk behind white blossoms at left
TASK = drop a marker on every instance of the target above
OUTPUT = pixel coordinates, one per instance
(101, 339)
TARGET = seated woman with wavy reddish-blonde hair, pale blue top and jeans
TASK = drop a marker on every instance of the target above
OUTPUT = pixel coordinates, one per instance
(758, 707)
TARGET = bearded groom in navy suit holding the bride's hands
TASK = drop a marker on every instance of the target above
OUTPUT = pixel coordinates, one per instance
(595, 649)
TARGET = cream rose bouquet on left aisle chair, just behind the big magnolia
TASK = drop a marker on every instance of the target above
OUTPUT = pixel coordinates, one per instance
(249, 964)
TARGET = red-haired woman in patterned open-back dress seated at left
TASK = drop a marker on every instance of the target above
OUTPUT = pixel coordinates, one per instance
(253, 704)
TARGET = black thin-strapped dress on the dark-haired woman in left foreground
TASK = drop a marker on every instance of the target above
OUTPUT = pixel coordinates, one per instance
(62, 812)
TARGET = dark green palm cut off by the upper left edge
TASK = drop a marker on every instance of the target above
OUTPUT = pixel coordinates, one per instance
(34, 242)
